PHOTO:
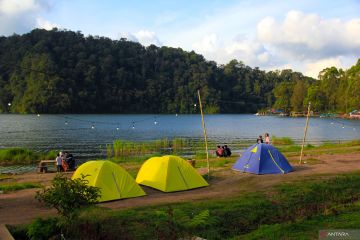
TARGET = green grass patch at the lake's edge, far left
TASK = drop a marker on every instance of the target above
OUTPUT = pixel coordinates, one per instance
(22, 156)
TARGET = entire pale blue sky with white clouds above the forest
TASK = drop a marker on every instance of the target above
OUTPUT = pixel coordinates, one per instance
(306, 36)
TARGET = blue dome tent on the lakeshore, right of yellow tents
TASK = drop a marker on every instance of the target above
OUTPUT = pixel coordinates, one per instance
(262, 159)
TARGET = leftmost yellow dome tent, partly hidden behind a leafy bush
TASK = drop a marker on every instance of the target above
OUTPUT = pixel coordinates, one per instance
(114, 182)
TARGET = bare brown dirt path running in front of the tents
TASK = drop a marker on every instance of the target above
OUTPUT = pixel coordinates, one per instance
(21, 207)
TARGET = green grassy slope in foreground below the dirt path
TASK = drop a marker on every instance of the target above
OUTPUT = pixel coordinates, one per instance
(288, 211)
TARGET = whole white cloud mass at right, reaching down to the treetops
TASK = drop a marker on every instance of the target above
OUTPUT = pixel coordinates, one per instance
(303, 42)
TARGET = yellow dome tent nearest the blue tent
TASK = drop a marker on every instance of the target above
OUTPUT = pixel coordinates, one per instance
(169, 174)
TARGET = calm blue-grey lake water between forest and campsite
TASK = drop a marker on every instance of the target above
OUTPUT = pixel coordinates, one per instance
(86, 136)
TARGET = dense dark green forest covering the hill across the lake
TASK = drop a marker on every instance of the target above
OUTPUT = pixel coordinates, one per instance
(62, 71)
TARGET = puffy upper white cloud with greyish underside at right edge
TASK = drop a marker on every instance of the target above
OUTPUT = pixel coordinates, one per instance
(308, 36)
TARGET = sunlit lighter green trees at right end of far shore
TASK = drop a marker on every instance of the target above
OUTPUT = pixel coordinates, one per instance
(336, 91)
